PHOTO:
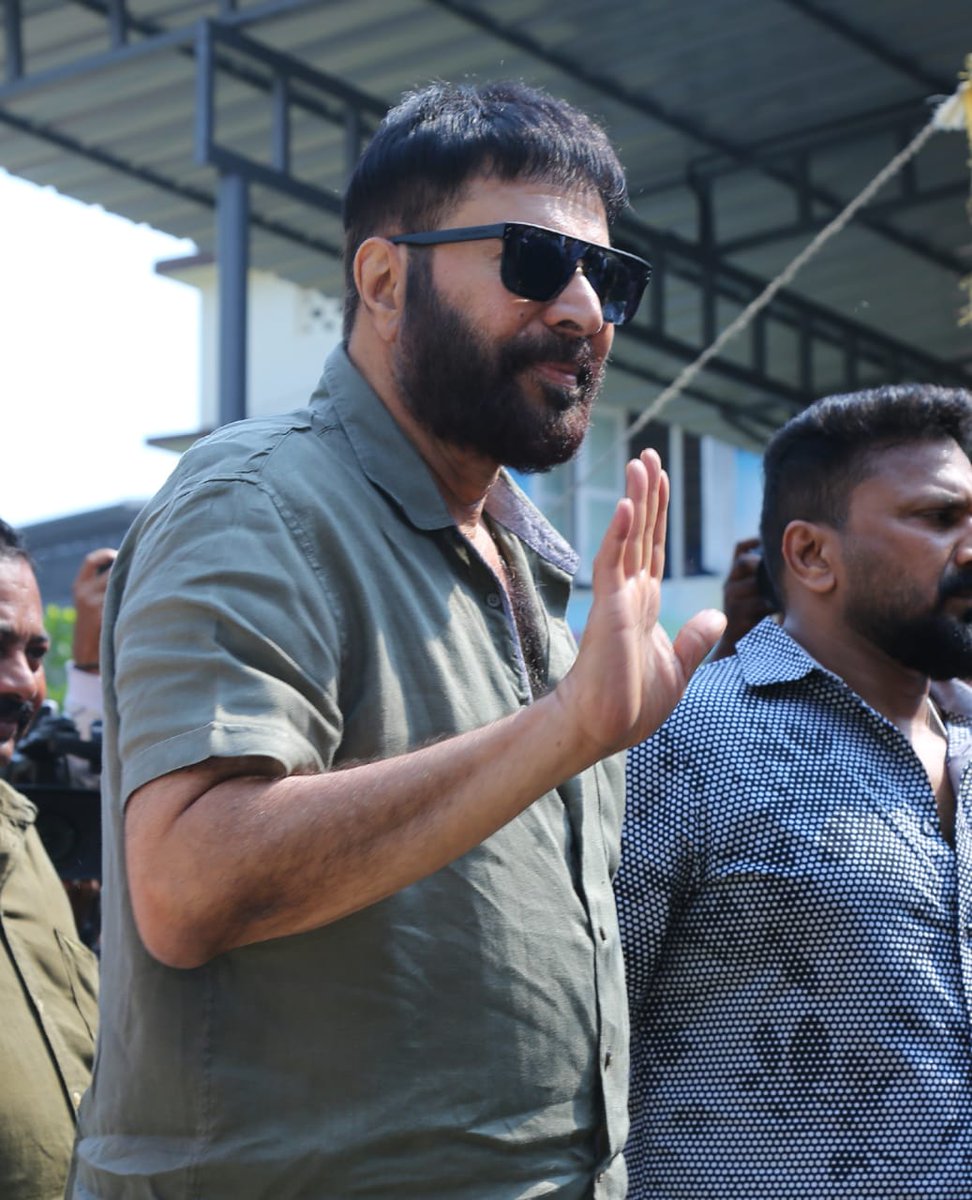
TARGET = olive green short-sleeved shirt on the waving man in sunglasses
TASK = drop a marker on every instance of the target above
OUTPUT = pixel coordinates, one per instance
(299, 591)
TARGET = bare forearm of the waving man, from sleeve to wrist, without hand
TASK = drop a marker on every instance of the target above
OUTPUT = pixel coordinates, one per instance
(250, 859)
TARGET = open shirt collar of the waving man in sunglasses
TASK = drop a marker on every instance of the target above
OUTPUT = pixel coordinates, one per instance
(393, 464)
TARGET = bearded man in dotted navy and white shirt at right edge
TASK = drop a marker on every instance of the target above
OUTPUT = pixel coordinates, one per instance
(796, 887)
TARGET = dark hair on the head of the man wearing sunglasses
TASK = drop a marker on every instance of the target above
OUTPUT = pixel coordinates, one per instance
(430, 146)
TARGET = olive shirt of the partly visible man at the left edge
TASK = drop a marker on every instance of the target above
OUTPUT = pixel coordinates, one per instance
(49, 1011)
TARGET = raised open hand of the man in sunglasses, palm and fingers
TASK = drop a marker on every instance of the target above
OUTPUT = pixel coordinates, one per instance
(629, 676)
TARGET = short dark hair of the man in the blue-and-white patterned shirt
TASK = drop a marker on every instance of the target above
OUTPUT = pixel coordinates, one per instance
(815, 461)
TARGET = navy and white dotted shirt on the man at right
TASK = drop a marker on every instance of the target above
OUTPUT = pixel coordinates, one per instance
(799, 939)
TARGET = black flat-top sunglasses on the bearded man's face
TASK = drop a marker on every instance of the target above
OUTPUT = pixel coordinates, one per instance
(539, 263)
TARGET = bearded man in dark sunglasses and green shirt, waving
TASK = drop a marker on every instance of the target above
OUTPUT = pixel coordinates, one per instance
(364, 805)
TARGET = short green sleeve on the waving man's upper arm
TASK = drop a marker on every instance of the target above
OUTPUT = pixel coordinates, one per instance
(225, 641)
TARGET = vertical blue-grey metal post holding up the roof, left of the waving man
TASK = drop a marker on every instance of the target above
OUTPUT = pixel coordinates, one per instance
(233, 265)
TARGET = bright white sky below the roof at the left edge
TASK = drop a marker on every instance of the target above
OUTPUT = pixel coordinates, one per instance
(99, 352)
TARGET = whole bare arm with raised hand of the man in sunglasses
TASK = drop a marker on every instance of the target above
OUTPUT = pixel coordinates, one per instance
(217, 862)
